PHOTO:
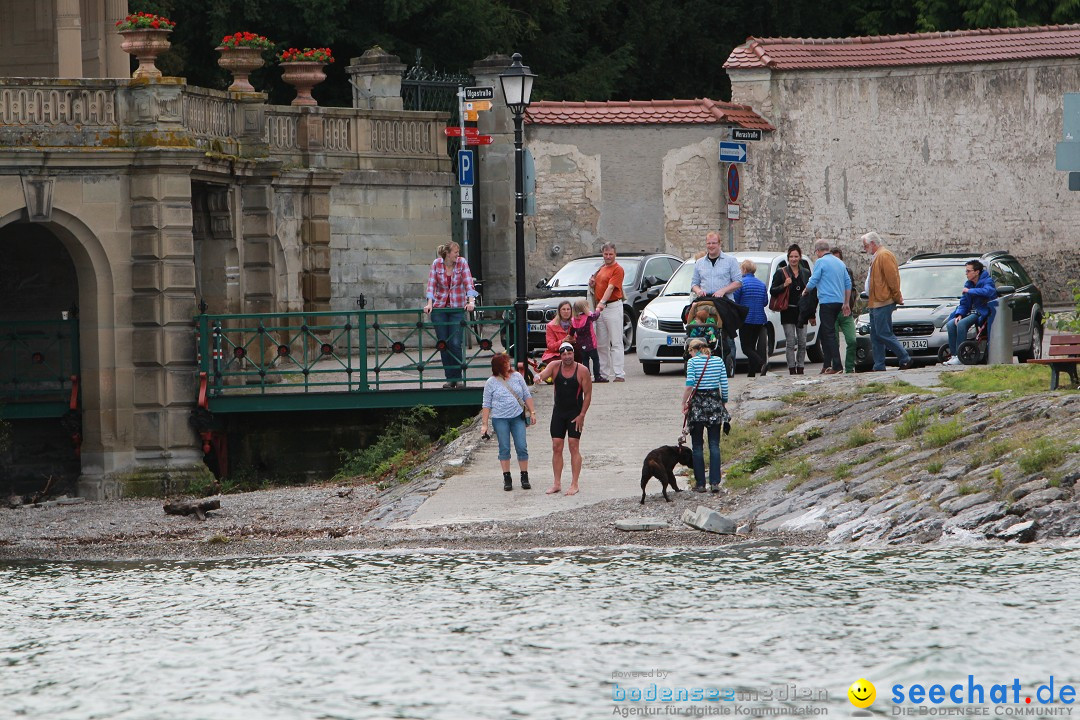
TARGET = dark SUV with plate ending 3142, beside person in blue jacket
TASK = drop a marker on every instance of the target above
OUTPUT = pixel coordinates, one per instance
(933, 283)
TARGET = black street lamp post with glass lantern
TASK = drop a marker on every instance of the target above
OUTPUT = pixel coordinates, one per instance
(517, 83)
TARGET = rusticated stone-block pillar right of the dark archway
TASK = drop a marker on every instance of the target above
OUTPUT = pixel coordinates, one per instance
(168, 452)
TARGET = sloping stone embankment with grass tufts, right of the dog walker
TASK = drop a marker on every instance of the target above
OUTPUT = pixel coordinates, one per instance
(886, 463)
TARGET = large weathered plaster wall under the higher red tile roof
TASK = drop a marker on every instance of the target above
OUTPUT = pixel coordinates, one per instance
(934, 159)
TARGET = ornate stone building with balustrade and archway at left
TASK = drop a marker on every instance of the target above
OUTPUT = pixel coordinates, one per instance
(126, 205)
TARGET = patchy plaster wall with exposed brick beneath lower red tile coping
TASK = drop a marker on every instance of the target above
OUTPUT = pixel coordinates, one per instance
(645, 188)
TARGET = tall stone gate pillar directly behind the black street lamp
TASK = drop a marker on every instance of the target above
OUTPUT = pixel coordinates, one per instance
(495, 193)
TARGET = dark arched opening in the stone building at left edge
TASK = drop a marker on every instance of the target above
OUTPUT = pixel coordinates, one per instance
(39, 361)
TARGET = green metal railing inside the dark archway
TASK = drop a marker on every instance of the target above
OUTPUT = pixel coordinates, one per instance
(39, 368)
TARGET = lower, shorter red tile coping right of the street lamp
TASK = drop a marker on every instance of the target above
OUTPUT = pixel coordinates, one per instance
(645, 113)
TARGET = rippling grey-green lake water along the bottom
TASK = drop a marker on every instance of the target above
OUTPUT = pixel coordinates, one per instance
(531, 635)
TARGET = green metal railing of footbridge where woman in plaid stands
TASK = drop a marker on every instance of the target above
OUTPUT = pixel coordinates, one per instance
(343, 360)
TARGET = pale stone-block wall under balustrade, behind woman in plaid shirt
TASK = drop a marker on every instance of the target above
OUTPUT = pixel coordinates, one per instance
(385, 228)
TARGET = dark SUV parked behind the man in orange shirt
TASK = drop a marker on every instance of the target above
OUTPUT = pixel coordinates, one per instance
(644, 276)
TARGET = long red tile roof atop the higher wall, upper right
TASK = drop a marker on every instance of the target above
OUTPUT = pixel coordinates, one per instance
(991, 46)
